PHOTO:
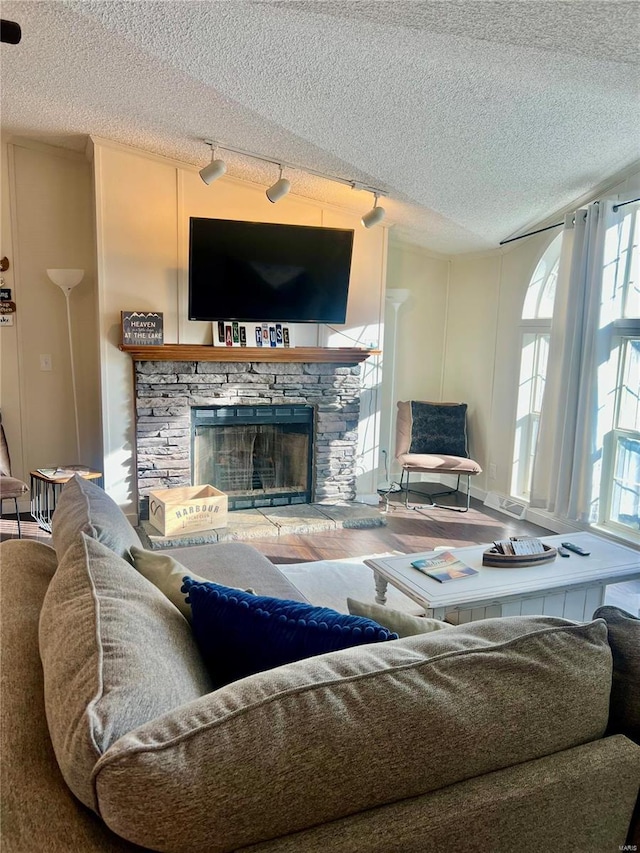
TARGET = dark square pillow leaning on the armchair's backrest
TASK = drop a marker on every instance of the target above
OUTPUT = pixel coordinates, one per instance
(439, 429)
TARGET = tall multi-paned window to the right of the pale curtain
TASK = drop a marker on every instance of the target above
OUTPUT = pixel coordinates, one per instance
(616, 487)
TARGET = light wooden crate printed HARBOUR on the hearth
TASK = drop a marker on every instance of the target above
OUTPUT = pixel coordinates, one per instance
(187, 509)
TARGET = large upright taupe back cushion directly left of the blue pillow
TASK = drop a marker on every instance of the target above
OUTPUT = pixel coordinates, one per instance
(115, 654)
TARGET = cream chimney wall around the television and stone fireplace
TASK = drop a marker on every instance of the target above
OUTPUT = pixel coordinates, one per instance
(143, 206)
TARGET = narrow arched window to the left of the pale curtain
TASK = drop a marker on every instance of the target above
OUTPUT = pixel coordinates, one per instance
(535, 331)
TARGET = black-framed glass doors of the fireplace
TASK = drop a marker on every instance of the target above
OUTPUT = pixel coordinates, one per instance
(257, 455)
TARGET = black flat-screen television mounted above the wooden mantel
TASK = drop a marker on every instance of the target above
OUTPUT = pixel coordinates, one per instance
(254, 271)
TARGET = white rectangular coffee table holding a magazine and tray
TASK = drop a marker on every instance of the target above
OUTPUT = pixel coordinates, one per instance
(571, 587)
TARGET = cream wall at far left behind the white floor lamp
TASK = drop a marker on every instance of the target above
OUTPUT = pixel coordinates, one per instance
(47, 222)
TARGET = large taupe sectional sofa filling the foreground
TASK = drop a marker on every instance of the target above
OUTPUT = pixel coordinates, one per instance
(486, 737)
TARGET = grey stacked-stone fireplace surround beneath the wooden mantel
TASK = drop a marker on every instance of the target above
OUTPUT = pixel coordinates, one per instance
(169, 393)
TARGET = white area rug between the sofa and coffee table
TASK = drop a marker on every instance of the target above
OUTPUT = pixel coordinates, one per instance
(329, 583)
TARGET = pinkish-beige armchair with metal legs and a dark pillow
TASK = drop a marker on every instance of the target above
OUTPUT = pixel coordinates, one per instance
(431, 438)
